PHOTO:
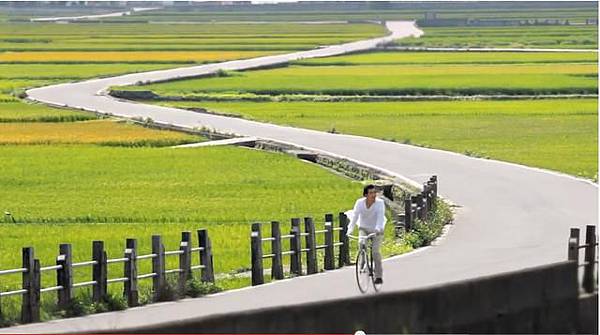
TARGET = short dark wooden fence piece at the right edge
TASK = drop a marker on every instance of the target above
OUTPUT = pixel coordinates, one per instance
(589, 282)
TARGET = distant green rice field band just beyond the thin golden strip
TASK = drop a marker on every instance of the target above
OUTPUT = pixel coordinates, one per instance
(177, 37)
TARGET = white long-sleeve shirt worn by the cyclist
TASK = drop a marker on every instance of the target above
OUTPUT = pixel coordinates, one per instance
(370, 219)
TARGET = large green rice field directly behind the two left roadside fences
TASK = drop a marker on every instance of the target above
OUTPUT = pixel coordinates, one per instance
(77, 194)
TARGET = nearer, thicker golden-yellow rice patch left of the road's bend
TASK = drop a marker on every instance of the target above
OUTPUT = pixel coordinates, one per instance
(89, 132)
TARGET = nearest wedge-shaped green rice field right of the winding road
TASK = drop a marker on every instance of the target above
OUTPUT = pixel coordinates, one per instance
(553, 134)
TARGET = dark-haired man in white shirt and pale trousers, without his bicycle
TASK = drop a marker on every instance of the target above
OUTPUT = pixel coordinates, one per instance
(369, 212)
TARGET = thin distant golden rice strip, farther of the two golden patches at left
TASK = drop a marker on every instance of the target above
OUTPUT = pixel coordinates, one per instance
(130, 56)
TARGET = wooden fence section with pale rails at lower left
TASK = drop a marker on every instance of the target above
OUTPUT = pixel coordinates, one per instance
(32, 272)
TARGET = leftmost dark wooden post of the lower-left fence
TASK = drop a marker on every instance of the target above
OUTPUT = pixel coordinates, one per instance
(30, 306)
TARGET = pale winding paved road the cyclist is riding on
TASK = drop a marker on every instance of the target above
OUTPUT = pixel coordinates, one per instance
(511, 217)
